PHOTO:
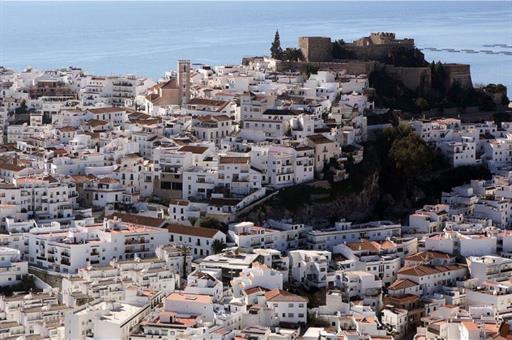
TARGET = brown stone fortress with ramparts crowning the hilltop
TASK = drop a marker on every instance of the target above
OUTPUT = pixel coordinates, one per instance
(374, 52)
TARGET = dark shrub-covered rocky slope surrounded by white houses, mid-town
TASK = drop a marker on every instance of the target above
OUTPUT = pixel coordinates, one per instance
(399, 174)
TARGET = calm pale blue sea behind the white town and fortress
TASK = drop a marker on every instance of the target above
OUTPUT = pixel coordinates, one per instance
(146, 38)
